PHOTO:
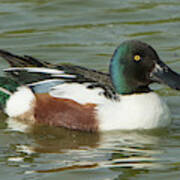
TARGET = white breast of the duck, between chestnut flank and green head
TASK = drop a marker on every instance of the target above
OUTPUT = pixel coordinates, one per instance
(143, 111)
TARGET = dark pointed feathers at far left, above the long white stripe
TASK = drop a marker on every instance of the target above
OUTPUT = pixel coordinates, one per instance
(19, 61)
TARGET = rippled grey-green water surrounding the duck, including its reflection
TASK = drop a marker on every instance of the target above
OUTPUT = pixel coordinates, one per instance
(86, 33)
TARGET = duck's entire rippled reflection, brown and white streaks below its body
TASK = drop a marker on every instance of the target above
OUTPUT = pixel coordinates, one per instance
(74, 150)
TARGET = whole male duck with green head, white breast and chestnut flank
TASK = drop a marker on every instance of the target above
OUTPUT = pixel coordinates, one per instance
(83, 99)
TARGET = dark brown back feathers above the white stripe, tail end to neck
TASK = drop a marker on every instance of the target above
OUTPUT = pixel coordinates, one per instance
(84, 73)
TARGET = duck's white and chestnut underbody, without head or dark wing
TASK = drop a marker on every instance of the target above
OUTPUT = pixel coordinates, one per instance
(88, 110)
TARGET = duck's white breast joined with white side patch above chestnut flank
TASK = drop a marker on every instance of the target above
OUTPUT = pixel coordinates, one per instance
(138, 111)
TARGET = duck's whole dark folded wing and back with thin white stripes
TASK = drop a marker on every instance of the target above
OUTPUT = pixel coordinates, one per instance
(47, 71)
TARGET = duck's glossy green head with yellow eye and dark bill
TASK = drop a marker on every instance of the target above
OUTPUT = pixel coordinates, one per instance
(135, 65)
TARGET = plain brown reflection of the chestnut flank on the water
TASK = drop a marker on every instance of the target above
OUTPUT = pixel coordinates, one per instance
(56, 140)
